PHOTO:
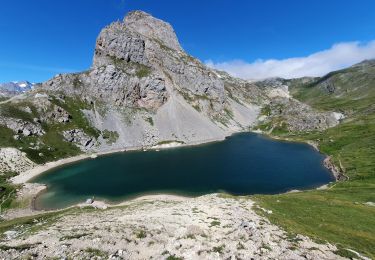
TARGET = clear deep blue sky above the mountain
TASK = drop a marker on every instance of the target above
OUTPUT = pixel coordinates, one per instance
(41, 38)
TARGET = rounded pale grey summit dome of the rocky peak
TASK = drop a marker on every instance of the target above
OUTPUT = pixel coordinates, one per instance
(153, 28)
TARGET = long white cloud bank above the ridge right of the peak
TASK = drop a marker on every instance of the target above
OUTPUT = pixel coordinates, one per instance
(339, 56)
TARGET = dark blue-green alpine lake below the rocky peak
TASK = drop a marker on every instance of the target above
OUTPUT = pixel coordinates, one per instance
(243, 164)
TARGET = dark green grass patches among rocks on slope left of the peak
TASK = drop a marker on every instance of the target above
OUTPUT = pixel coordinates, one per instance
(52, 144)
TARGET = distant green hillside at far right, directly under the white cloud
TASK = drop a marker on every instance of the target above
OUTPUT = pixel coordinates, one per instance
(351, 90)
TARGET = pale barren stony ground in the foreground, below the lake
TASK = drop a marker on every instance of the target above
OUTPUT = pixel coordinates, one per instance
(162, 227)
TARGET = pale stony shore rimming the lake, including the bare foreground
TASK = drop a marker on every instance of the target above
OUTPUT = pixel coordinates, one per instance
(264, 236)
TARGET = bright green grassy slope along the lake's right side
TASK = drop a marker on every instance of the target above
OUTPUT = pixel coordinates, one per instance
(341, 214)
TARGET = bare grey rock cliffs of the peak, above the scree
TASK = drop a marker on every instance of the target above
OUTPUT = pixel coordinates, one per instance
(137, 63)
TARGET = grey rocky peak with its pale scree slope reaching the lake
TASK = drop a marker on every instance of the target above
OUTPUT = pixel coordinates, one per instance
(141, 73)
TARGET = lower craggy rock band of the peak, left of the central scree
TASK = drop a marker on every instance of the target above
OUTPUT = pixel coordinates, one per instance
(113, 86)
